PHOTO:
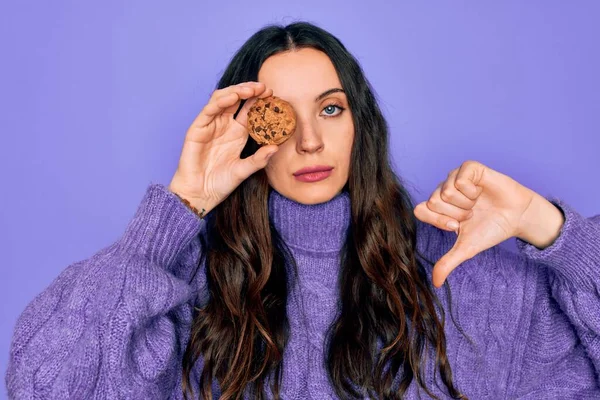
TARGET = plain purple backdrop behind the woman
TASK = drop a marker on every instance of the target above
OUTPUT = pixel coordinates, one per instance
(96, 98)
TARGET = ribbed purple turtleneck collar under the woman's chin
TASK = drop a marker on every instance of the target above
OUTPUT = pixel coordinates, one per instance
(313, 227)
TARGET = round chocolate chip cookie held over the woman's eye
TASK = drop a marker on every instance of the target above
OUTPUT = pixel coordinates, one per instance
(271, 121)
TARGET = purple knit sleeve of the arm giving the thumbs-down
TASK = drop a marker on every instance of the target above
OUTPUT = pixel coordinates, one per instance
(561, 354)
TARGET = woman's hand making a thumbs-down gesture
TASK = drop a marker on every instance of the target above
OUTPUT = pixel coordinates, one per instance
(488, 208)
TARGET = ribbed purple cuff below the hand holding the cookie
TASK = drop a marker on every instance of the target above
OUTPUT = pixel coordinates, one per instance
(161, 227)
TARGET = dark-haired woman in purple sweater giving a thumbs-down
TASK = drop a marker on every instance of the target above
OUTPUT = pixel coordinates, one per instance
(243, 279)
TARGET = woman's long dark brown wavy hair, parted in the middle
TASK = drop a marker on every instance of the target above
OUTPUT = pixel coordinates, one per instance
(243, 329)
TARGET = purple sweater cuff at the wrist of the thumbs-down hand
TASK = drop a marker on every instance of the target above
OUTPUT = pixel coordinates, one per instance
(575, 254)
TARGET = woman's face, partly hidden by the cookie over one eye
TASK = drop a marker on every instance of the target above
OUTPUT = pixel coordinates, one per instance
(324, 132)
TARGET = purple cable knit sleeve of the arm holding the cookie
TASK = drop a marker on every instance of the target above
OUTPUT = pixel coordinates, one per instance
(114, 325)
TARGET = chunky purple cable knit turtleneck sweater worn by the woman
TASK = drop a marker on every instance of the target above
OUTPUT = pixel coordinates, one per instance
(114, 326)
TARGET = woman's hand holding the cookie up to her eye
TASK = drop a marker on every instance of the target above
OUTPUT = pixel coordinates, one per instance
(210, 167)
